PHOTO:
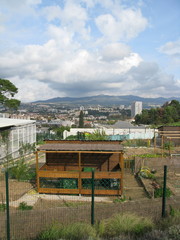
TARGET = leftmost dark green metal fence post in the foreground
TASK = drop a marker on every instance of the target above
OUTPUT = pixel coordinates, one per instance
(7, 206)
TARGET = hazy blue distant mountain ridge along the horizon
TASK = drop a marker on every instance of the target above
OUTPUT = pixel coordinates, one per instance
(107, 100)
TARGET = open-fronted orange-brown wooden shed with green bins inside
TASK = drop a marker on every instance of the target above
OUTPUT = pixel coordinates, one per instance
(69, 164)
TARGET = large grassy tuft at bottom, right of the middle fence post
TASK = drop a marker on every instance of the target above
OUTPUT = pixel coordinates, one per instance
(126, 224)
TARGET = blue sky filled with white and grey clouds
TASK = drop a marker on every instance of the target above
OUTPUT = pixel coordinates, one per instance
(77, 48)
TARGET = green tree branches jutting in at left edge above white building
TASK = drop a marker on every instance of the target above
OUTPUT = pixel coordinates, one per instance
(7, 92)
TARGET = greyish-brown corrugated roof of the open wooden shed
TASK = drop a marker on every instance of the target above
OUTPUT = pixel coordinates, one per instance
(81, 147)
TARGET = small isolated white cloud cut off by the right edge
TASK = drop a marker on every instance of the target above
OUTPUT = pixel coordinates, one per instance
(171, 48)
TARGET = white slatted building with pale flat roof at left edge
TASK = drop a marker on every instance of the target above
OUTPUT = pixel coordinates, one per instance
(13, 134)
